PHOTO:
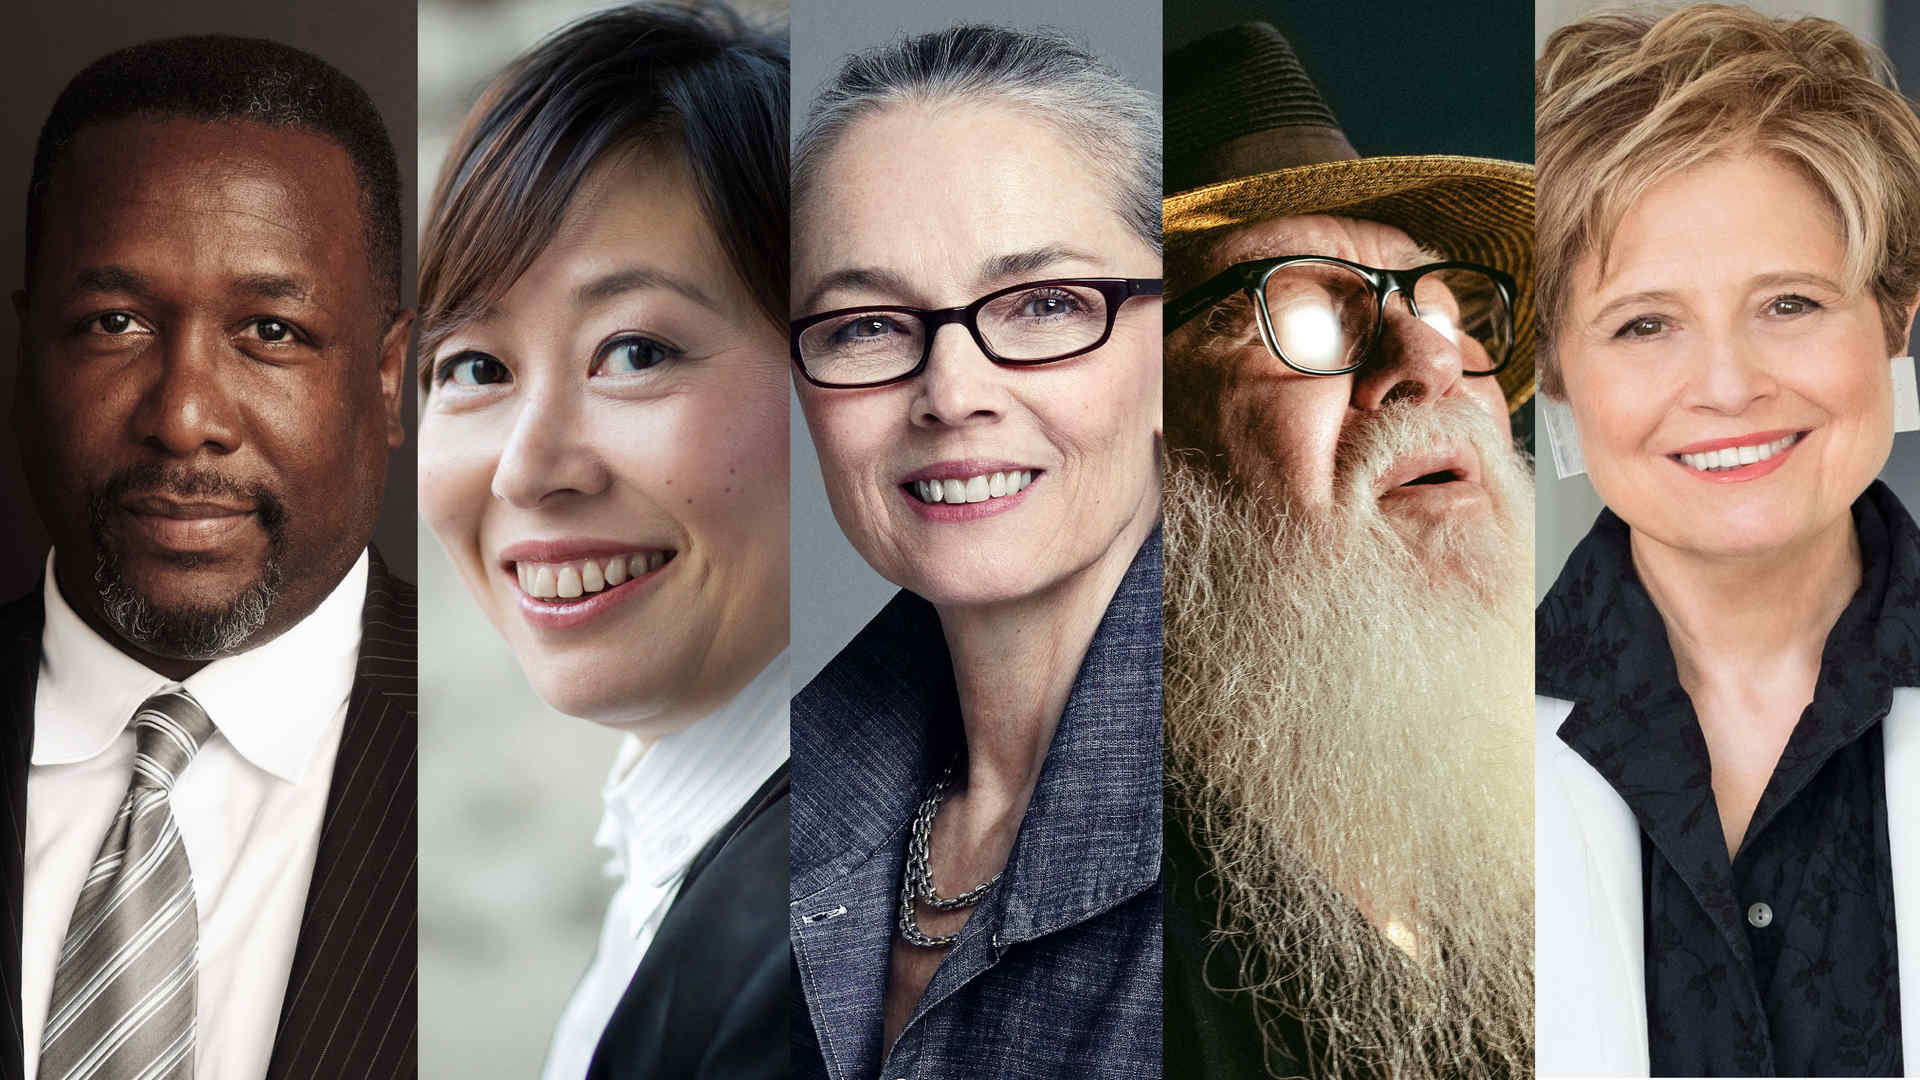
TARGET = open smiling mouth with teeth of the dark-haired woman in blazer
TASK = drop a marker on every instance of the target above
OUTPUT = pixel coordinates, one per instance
(565, 583)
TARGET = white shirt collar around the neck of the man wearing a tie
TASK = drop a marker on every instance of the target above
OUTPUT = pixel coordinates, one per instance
(276, 704)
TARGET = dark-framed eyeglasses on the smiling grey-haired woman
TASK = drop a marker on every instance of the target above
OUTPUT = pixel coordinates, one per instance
(1022, 326)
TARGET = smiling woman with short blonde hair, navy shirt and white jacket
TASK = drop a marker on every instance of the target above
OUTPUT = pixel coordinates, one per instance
(1729, 662)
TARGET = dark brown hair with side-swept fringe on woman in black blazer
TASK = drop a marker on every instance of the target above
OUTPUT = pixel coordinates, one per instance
(694, 82)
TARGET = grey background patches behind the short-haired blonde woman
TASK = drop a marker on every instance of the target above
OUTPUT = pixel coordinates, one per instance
(1568, 508)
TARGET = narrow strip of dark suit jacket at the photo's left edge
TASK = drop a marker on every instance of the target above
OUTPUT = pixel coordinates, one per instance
(20, 672)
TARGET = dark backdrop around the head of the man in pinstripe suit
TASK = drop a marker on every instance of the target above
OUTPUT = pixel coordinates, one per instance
(47, 43)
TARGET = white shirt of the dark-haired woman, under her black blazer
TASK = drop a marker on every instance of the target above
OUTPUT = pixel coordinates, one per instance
(663, 806)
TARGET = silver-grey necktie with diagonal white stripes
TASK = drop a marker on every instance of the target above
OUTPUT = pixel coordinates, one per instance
(126, 985)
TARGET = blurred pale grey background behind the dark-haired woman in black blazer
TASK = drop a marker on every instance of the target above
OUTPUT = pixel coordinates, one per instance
(512, 887)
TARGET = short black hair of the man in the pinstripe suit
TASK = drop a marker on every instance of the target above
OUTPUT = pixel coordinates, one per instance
(226, 78)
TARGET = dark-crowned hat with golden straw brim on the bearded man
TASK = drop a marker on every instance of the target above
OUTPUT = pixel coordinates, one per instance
(1251, 139)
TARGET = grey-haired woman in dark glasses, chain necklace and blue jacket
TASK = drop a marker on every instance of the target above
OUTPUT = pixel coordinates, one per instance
(976, 816)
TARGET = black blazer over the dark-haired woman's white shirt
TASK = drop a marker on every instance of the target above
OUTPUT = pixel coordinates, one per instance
(711, 994)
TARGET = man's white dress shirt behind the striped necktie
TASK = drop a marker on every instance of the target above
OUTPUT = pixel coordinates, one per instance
(249, 806)
